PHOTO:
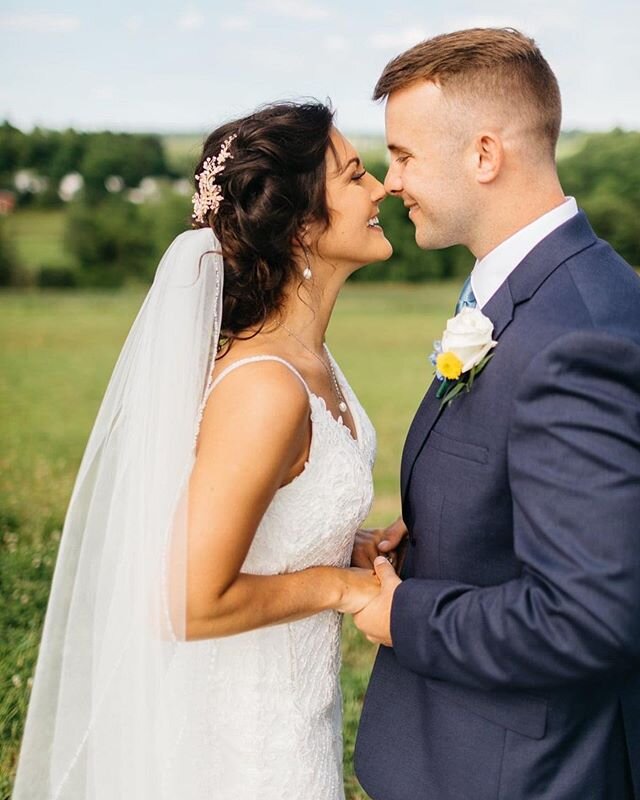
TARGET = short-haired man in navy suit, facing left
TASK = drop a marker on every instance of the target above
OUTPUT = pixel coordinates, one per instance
(510, 659)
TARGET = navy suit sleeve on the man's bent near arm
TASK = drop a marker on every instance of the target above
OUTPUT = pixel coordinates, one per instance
(574, 469)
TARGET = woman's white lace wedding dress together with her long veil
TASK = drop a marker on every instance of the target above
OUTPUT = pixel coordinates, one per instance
(122, 706)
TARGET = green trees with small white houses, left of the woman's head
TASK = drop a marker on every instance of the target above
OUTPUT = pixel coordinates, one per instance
(110, 237)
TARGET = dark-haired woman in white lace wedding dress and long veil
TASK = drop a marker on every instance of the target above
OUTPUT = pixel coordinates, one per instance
(191, 643)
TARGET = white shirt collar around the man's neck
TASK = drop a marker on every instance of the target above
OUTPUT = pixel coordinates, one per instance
(491, 272)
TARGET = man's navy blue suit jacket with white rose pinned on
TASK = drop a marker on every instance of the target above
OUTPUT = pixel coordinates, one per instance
(515, 667)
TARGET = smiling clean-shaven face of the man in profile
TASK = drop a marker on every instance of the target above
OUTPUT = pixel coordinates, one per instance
(427, 168)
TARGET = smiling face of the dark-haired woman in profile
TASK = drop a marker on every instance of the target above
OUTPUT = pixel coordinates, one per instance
(354, 237)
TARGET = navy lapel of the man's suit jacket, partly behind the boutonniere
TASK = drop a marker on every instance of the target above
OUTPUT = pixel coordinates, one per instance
(567, 240)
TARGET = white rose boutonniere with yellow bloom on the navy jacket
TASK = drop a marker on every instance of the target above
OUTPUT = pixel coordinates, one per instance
(463, 352)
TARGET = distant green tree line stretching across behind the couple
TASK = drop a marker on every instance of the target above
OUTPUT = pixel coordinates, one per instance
(112, 240)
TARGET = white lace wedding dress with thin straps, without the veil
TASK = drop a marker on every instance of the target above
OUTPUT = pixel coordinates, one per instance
(274, 731)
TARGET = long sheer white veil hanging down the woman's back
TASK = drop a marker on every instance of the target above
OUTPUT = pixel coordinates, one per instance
(116, 687)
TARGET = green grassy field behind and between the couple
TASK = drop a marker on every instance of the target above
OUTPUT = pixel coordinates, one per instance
(57, 352)
